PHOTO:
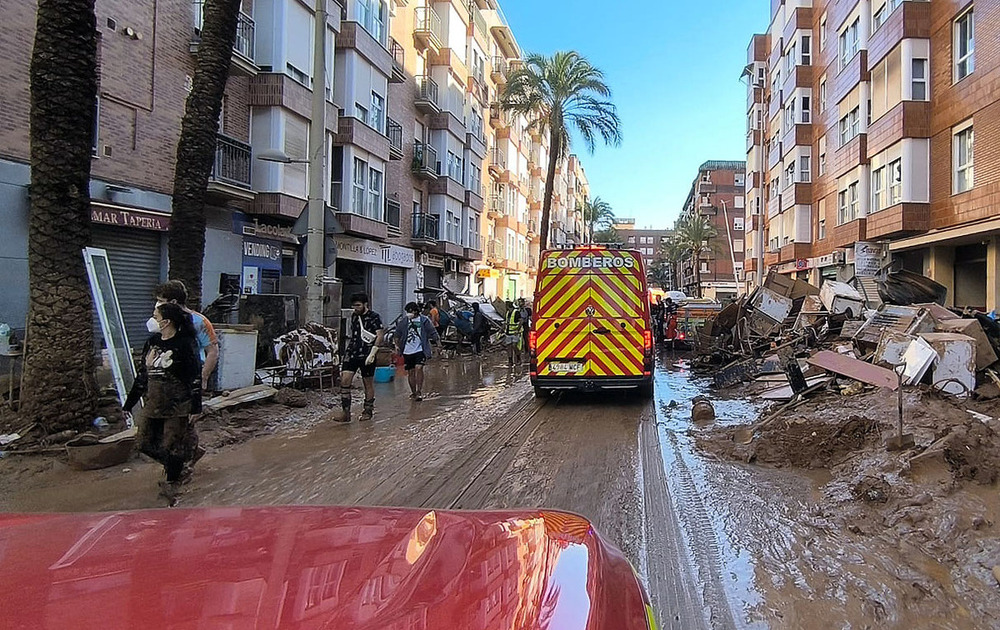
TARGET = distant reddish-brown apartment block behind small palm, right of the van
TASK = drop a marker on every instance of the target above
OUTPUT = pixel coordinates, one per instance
(717, 193)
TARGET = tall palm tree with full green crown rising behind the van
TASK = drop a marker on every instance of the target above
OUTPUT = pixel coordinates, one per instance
(558, 94)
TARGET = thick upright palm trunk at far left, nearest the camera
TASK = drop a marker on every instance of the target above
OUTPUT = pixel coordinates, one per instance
(60, 391)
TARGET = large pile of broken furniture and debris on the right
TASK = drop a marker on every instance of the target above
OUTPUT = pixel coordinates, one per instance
(887, 332)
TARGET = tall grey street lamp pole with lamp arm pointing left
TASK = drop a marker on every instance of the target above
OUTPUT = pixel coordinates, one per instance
(316, 209)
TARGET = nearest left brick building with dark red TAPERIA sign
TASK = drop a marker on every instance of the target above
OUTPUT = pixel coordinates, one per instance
(147, 53)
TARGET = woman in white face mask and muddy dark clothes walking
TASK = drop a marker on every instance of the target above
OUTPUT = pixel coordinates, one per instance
(169, 376)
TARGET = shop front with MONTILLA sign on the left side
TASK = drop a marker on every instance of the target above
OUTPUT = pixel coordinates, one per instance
(387, 273)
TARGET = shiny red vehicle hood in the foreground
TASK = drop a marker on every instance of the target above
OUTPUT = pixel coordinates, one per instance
(341, 568)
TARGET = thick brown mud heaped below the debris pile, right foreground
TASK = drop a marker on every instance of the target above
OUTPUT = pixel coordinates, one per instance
(894, 539)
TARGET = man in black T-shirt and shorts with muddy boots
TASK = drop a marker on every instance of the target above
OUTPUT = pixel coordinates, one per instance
(365, 335)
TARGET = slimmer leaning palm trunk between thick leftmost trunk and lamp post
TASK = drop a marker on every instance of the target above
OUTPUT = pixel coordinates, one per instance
(197, 145)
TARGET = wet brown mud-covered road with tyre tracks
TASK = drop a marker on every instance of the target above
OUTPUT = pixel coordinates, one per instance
(719, 544)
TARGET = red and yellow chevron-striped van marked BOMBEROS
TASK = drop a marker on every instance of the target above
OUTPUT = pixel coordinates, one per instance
(591, 327)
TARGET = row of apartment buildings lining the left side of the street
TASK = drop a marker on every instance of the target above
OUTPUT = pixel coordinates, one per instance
(416, 146)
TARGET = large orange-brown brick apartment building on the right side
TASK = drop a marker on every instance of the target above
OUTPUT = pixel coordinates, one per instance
(860, 128)
